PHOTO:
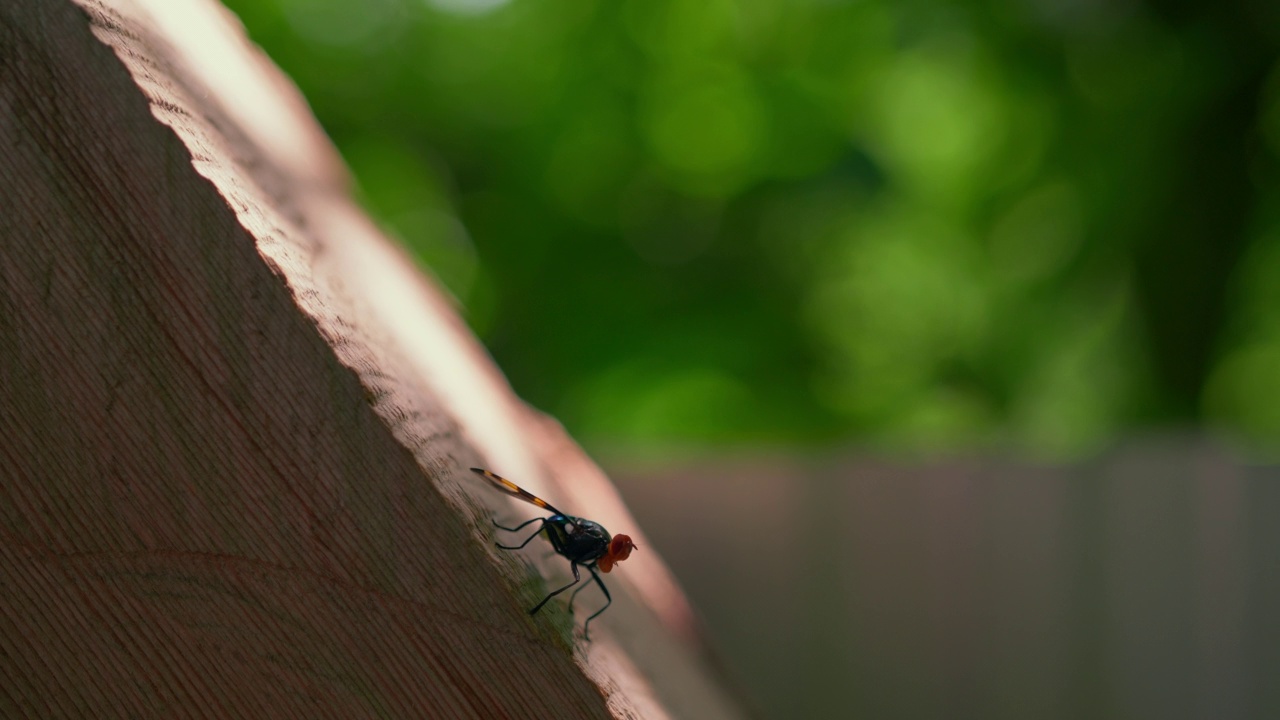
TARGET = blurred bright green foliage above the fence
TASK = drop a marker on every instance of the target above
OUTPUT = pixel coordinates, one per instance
(916, 226)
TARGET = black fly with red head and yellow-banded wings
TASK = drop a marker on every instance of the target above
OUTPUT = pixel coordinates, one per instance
(582, 543)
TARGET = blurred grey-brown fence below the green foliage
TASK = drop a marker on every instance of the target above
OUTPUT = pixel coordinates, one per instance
(1142, 585)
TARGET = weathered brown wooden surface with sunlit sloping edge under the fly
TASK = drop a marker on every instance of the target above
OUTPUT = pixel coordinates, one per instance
(235, 422)
